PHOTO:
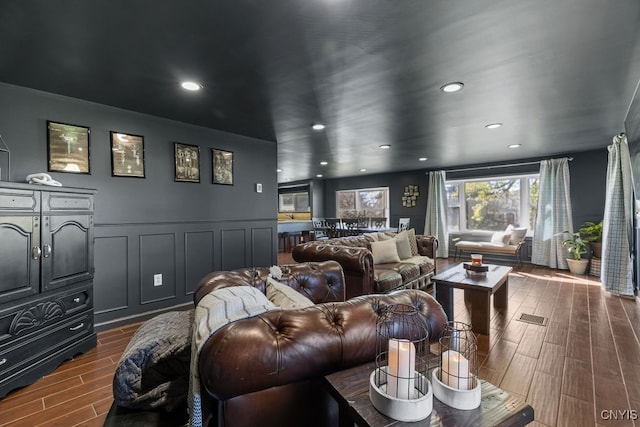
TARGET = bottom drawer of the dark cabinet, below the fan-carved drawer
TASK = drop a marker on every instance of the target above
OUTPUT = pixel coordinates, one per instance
(23, 353)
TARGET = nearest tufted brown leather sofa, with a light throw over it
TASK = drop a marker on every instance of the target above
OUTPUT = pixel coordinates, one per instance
(267, 370)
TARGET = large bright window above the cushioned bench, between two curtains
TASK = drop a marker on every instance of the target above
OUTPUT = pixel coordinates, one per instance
(492, 203)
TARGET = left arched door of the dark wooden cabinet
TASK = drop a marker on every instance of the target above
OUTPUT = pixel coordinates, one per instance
(19, 272)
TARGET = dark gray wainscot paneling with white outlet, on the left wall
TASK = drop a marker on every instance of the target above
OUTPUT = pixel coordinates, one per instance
(129, 255)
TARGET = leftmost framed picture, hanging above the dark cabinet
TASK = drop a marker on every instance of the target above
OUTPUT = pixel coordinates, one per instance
(68, 148)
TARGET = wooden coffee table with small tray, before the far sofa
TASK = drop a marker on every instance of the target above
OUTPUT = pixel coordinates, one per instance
(477, 293)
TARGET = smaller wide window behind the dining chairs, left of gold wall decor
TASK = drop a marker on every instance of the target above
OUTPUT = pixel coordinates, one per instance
(364, 202)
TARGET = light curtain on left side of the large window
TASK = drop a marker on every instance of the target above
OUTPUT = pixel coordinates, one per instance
(435, 223)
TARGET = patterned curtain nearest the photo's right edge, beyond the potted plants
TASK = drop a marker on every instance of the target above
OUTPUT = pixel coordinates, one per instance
(617, 234)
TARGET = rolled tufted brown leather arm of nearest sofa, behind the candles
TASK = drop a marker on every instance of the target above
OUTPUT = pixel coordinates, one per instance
(286, 346)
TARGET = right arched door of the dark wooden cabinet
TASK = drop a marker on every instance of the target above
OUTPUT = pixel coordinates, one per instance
(66, 250)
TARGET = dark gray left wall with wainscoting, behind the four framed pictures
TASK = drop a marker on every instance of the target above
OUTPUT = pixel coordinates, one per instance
(153, 225)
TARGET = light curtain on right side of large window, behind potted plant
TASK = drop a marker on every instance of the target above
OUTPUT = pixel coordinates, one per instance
(553, 215)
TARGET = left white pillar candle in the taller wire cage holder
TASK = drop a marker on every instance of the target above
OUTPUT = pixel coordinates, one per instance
(402, 365)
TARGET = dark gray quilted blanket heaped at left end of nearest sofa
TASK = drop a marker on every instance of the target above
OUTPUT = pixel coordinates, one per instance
(153, 371)
